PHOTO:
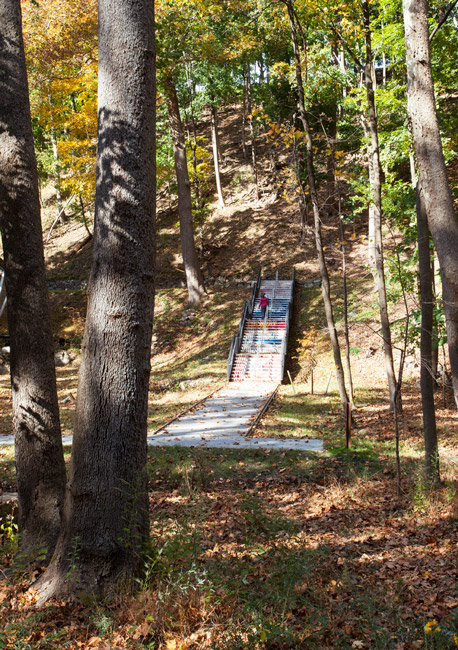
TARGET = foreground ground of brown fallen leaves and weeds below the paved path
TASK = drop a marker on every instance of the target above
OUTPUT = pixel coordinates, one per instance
(273, 550)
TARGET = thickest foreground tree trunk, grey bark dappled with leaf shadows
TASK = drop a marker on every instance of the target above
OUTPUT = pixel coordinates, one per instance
(105, 522)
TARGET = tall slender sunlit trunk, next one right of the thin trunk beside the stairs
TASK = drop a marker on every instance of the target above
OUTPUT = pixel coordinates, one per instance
(375, 174)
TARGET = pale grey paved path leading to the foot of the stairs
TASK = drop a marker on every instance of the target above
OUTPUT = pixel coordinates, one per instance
(221, 421)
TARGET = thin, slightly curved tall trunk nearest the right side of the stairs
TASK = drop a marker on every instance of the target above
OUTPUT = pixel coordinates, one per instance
(325, 286)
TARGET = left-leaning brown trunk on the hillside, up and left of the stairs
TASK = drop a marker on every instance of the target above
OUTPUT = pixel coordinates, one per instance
(194, 280)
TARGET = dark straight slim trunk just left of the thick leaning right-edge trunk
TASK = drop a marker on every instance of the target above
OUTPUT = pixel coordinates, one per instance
(427, 378)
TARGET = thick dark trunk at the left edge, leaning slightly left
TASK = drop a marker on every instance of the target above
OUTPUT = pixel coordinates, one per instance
(39, 457)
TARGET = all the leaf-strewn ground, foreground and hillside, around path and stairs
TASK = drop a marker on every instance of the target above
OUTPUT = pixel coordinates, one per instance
(256, 549)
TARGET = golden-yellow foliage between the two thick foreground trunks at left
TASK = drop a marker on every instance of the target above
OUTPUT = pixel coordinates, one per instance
(61, 49)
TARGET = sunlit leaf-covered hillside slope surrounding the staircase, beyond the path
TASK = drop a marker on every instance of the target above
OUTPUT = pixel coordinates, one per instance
(190, 348)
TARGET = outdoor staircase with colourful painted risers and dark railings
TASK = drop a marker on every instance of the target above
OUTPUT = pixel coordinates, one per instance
(258, 349)
